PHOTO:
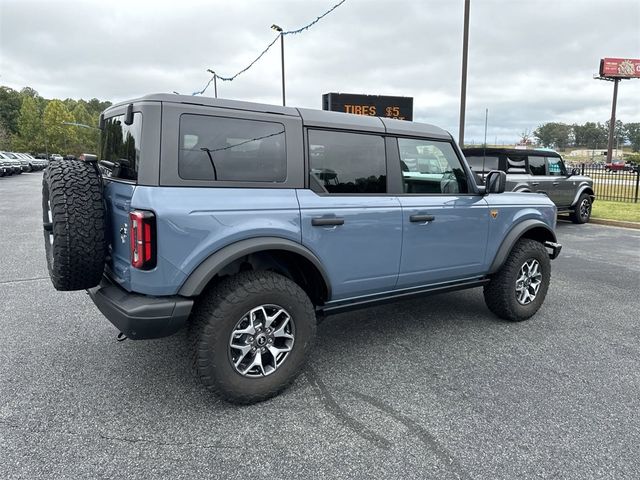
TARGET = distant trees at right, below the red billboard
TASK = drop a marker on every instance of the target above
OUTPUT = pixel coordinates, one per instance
(589, 135)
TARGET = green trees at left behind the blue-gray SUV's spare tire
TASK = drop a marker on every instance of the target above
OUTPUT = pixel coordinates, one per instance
(31, 123)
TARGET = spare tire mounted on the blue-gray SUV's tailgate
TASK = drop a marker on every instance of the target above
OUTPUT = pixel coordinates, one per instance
(73, 215)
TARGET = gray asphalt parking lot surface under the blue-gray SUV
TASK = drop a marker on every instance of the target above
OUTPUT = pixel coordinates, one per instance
(430, 388)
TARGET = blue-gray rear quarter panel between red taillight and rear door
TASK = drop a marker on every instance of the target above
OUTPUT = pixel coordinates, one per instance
(194, 223)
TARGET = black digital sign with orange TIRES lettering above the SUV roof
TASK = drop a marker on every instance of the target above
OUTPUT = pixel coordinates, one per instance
(373, 105)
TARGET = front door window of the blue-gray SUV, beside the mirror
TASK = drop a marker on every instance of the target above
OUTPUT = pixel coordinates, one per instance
(431, 166)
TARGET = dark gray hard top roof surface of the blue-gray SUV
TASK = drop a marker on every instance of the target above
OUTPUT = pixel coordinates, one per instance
(310, 117)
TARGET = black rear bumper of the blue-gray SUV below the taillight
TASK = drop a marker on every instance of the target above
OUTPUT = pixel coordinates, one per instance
(140, 316)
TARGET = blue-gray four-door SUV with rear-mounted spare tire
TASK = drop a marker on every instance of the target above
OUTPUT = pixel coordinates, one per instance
(247, 223)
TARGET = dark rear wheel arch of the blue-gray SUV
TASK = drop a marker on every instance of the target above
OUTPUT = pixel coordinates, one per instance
(266, 253)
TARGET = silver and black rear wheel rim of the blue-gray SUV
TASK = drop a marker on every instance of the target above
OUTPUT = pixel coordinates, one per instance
(261, 341)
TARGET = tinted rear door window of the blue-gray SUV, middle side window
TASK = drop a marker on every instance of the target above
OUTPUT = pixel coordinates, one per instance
(345, 162)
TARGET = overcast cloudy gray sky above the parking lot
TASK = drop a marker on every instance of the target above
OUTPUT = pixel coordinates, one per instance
(530, 62)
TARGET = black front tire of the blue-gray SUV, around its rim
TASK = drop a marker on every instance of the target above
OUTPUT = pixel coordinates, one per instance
(500, 293)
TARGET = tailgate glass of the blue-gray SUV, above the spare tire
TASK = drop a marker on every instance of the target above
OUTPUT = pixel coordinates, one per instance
(120, 144)
